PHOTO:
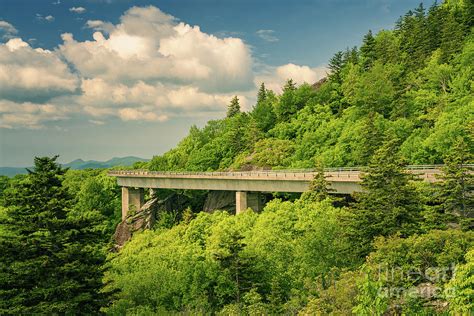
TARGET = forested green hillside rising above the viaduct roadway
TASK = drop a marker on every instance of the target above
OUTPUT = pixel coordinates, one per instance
(413, 83)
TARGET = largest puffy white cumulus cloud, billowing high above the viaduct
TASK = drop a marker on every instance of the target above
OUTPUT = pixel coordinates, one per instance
(152, 46)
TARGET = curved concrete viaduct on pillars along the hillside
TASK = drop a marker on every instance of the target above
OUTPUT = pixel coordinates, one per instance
(247, 185)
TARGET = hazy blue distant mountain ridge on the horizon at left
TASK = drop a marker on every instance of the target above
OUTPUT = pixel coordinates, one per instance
(80, 164)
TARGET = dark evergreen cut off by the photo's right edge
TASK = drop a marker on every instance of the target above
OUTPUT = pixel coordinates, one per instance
(456, 189)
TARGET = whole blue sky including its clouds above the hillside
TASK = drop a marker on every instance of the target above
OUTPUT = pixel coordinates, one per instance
(95, 79)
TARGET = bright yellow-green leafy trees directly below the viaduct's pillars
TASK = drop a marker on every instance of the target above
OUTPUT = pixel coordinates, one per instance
(219, 261)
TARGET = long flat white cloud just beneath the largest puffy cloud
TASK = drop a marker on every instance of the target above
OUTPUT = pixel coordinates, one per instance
(103, 98)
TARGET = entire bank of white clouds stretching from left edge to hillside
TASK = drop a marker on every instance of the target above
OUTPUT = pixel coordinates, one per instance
(148, 67)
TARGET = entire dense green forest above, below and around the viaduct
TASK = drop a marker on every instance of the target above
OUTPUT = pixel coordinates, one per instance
(402, 246)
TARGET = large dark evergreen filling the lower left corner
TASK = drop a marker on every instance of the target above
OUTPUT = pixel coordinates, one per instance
(50, 262)
